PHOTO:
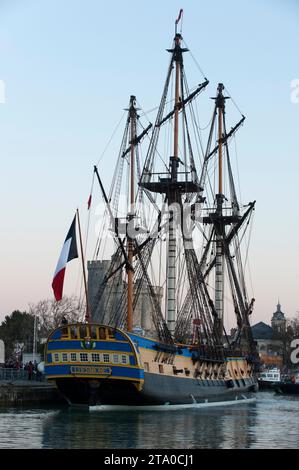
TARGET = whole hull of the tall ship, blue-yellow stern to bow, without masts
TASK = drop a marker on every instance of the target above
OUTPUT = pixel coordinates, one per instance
(120, 368)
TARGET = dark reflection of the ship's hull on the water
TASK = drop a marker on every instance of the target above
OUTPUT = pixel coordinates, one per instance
(211, 428)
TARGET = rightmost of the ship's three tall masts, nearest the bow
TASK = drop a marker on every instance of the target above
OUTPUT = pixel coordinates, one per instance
(226, 223)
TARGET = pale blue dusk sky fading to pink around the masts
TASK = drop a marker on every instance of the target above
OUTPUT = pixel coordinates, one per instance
(67, 69)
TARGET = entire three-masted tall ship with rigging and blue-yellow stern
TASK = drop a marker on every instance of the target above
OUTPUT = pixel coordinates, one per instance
(154, 332)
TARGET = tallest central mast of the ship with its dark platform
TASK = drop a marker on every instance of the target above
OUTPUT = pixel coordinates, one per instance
(176, 183)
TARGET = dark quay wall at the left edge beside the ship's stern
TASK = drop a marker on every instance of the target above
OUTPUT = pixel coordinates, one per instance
(17, 390)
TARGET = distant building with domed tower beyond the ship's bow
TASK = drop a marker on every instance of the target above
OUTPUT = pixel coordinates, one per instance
(270, 339)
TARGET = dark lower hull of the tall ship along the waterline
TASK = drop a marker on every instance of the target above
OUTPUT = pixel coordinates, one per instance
(157, 390)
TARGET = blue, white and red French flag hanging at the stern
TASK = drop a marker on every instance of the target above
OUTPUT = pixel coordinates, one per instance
(69, 251)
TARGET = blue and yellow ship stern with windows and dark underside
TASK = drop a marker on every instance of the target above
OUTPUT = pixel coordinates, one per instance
(94, 364)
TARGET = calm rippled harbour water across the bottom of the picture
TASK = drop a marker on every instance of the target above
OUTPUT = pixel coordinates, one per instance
(271, 422)
